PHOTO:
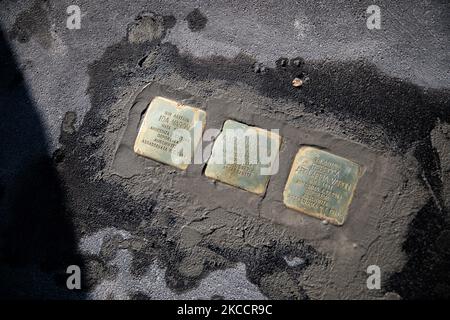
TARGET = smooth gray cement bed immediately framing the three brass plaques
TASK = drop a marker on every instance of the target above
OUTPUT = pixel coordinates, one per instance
(212, 194)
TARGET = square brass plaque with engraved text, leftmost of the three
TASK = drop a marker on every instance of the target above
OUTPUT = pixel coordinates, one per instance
(170, 132)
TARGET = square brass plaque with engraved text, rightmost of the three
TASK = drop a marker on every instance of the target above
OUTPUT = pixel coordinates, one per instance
(321, 184)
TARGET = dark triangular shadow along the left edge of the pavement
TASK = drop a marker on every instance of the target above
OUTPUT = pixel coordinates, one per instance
(37, 241)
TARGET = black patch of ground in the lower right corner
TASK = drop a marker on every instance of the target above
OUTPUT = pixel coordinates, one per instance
(426, 274)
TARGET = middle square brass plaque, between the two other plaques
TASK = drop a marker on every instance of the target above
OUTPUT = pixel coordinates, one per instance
(244, 156)
